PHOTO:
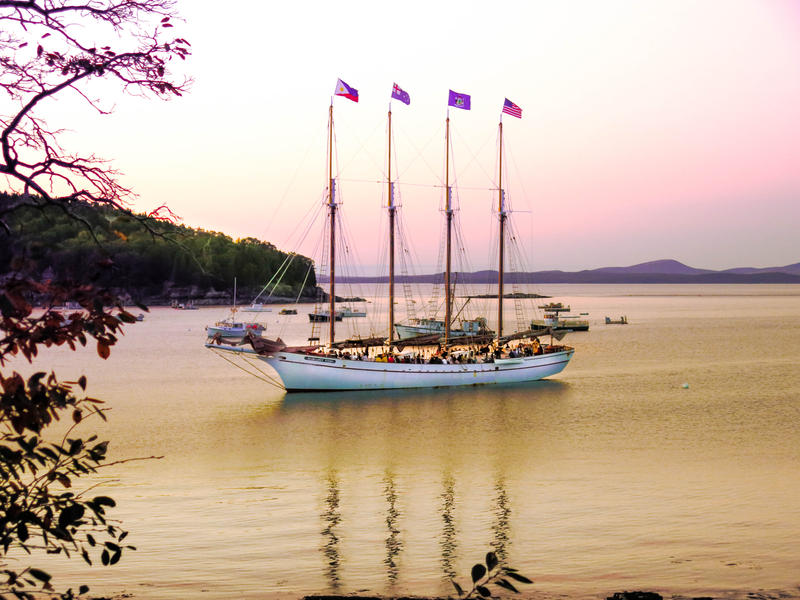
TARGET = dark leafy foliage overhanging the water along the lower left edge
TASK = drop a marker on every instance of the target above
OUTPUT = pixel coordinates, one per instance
(40, 506)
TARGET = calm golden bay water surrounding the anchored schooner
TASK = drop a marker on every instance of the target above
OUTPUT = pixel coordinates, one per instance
(611, 477)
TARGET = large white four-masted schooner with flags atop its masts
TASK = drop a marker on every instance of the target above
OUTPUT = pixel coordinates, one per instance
(455, 356)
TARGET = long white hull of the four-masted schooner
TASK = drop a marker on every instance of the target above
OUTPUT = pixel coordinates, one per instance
(302, 372)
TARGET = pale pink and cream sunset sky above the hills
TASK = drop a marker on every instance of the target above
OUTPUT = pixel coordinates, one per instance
(650, 129)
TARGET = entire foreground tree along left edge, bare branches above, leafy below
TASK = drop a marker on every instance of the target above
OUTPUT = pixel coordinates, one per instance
(50, 49)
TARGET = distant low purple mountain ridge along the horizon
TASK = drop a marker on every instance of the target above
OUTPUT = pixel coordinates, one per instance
(656, 271)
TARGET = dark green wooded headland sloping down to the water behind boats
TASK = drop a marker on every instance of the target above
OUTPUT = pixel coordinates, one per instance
(153, 261)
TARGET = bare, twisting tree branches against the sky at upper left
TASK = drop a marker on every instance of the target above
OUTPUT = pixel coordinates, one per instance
(46, 50)
